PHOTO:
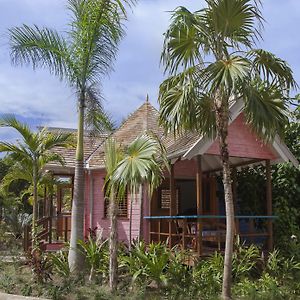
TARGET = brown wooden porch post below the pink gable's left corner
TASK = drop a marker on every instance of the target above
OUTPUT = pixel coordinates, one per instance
(199, 204)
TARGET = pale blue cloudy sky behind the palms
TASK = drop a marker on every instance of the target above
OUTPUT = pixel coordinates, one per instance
(38, 98)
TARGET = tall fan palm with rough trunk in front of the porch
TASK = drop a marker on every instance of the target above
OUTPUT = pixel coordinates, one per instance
(211, 60)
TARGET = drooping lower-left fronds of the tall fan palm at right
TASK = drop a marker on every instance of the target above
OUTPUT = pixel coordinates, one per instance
(184, 105)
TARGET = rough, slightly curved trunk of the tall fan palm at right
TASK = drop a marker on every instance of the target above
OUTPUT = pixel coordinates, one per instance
(222, 120)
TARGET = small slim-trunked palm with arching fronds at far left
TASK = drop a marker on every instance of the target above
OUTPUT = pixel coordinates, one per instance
(30, 156)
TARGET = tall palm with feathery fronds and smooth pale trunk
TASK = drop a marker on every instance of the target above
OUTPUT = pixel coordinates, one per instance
(81, 58)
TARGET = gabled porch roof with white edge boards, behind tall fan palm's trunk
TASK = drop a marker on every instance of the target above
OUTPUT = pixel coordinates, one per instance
(191, 145)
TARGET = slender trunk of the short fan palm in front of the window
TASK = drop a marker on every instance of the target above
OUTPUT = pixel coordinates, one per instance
(113, 244)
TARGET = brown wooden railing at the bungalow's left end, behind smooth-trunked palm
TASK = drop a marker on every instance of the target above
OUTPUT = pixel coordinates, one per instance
(55, 229)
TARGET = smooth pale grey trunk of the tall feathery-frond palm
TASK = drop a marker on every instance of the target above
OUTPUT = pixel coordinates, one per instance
(75, 258)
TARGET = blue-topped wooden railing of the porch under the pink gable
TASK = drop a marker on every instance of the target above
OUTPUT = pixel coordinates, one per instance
(204, 233)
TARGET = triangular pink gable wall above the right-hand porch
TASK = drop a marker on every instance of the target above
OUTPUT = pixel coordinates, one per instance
(243, 142)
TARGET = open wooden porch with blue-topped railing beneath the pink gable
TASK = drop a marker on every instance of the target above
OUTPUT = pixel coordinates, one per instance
(188, 209)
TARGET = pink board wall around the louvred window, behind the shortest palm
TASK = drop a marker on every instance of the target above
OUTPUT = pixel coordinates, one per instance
(98, 212)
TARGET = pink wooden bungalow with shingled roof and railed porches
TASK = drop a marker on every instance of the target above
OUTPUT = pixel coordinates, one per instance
(187, 209)
